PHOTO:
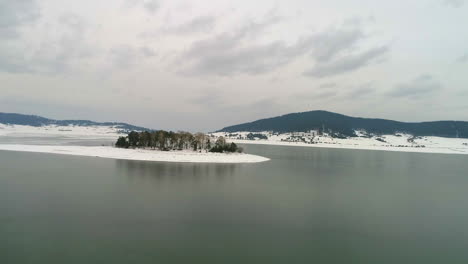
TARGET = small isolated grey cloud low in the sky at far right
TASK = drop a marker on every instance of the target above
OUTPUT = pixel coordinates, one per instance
(420, 86)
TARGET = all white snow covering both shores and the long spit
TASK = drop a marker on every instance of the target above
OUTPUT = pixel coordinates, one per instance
(56, 135)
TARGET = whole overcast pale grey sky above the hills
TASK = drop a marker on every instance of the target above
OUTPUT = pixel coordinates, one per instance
(204, 65)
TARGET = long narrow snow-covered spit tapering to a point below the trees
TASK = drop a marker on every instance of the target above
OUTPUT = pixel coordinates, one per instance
(138, 154)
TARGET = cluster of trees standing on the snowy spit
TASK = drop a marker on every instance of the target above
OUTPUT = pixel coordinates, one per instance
(168, 140)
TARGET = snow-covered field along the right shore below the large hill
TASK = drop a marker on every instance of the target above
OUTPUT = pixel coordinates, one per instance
(399, 142)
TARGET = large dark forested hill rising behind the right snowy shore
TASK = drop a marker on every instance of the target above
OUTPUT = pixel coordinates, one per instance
(346, 125)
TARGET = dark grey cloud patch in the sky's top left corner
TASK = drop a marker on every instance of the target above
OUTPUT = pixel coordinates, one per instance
(14, 14)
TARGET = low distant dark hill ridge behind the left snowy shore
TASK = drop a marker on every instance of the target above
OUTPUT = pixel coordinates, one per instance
(32, 120)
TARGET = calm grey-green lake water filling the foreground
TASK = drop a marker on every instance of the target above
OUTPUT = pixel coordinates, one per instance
(306, 205)
